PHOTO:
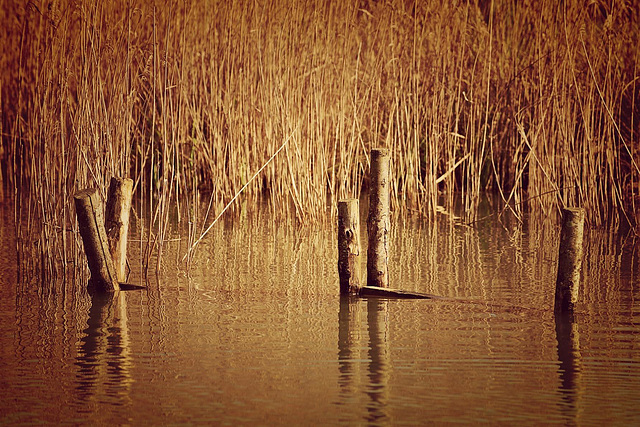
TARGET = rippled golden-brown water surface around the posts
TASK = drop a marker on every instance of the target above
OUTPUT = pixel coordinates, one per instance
(257, 334)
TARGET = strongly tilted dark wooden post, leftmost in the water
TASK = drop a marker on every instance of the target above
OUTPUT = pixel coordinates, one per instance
(94, 238)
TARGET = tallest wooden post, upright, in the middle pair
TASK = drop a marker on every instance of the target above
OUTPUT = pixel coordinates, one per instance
(378, 220)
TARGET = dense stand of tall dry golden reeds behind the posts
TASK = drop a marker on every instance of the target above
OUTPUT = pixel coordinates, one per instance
(536, 103)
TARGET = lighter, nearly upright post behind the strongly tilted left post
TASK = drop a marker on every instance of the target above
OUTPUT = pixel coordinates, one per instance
(117, 222)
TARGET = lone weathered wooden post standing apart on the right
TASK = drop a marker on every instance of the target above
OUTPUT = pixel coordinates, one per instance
(569, 259)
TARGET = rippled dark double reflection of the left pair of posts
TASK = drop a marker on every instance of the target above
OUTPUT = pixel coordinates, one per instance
(103, 358)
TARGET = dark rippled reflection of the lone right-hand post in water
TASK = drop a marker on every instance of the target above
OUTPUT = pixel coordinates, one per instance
(570, 363)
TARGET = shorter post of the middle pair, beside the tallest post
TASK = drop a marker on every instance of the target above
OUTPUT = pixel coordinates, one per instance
(348, 245)
